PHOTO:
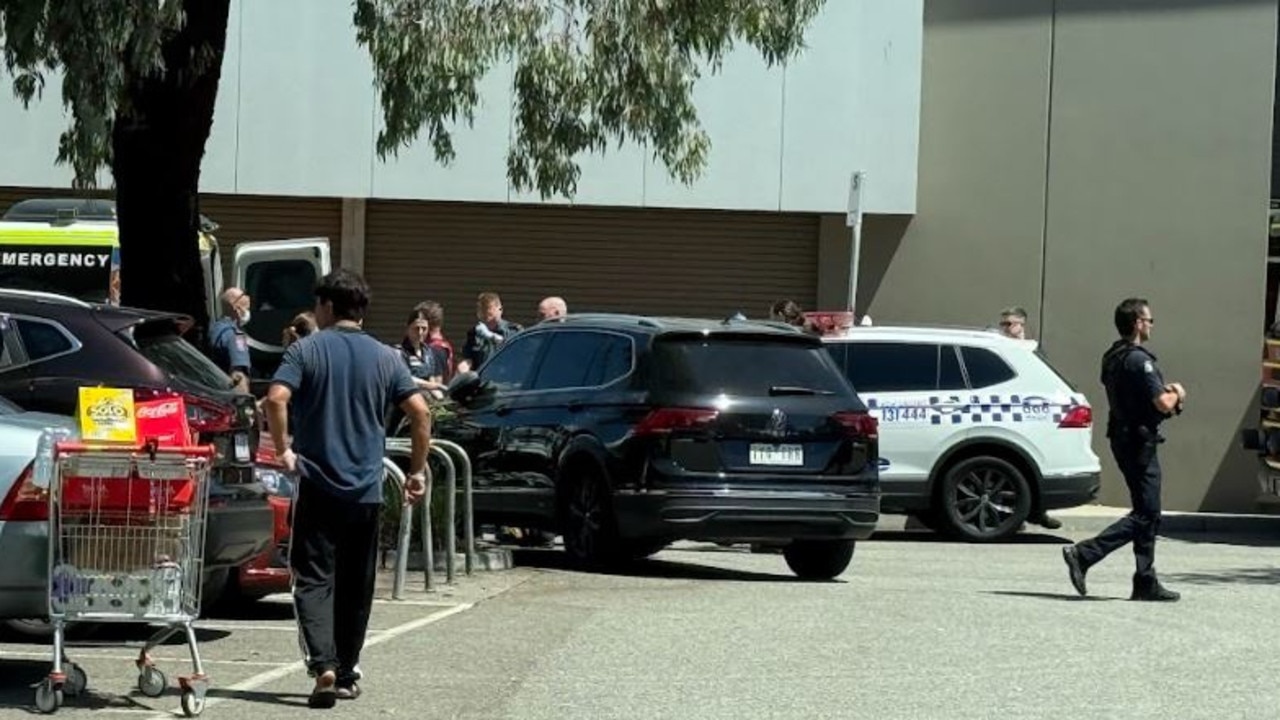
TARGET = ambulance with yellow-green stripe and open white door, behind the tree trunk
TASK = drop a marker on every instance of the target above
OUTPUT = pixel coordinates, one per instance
(72, 247)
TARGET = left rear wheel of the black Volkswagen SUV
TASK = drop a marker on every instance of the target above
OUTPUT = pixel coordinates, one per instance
(587, 513)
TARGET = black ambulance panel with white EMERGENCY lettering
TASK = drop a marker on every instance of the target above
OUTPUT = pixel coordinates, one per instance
(83, 272)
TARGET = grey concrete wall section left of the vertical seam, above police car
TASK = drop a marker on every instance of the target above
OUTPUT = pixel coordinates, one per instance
(975, 245)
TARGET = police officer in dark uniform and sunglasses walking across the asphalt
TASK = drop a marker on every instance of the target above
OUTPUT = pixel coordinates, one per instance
(1141, 400)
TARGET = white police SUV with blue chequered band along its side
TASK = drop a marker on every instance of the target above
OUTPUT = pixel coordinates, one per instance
(979, 432)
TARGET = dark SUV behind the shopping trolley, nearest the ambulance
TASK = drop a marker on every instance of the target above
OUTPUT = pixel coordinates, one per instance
(53, 345)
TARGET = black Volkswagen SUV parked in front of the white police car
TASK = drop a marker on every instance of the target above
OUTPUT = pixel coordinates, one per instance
(625, 434)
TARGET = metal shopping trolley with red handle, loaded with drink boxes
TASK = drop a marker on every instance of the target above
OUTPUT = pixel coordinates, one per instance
(126, 545)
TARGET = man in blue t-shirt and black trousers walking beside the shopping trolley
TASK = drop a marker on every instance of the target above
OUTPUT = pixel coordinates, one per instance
(341, 384)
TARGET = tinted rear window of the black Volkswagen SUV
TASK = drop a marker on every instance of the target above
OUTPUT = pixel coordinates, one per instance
(748, 367)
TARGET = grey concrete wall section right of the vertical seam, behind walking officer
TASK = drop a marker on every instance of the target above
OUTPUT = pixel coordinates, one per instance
(1158, 188)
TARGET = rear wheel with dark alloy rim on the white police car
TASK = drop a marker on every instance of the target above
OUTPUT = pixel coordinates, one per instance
(985, 499)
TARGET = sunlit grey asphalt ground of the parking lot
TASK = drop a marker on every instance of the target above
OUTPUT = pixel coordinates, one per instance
(917, 628)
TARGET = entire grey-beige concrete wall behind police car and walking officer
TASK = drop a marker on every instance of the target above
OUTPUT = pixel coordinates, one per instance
(1078, 152)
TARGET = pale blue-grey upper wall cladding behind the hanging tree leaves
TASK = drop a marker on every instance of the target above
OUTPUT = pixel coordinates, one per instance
(298, 115)
